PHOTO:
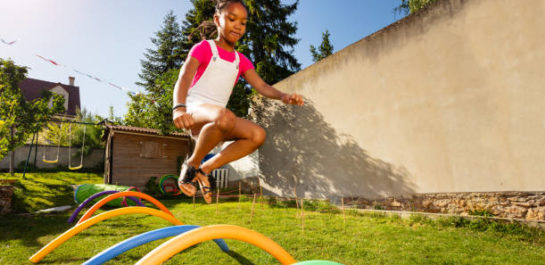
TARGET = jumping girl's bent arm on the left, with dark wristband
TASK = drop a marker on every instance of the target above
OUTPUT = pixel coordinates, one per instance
(181, 118)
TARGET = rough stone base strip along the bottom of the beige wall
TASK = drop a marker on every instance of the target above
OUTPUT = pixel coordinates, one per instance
(519, 205)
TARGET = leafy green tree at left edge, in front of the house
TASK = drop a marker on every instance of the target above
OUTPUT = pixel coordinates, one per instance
(20, 118)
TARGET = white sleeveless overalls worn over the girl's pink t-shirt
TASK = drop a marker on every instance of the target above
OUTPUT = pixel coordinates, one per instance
(216, 83)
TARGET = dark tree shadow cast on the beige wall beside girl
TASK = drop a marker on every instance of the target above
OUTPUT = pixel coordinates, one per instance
(305, 152)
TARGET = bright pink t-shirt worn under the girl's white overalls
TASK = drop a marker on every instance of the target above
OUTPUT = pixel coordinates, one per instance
(202, 52)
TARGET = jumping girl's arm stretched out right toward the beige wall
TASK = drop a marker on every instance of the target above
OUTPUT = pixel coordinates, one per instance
(267, 90)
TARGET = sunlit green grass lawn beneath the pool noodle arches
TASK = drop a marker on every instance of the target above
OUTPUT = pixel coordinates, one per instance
(358, 239)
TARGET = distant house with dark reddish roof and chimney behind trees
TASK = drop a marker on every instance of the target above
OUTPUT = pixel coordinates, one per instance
(33, 88)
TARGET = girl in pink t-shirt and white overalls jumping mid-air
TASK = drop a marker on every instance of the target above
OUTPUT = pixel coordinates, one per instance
(202, 91)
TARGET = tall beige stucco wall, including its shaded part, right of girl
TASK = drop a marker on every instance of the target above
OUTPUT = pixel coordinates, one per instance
(450, 99)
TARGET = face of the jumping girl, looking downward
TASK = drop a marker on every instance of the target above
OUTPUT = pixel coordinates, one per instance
(231, 22)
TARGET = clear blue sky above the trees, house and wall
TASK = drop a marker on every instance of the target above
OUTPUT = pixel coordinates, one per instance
(107, 38)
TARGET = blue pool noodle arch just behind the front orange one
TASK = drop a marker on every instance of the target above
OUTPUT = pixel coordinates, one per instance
(144, 238)
